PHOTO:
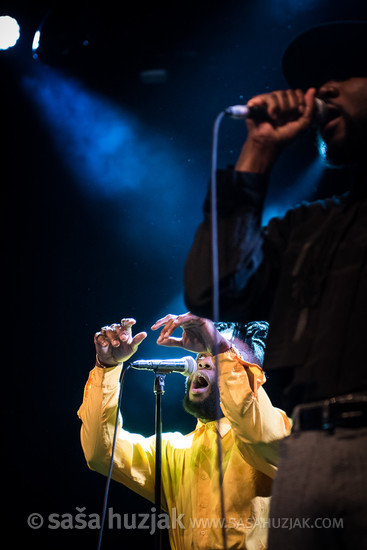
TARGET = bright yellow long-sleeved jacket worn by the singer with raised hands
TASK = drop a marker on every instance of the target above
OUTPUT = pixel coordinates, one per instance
(250, 432)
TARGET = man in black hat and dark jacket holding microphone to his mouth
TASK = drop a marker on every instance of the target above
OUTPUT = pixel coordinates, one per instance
(305, 273)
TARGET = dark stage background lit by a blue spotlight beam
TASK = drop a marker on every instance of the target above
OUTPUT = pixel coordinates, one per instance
(102, 184)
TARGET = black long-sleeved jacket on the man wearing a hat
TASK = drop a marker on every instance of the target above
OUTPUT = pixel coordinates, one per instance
(305, 273)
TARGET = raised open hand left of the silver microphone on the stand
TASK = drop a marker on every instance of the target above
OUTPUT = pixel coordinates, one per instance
(115, 343)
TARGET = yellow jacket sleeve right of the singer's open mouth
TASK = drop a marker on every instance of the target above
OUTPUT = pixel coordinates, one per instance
(257, 424)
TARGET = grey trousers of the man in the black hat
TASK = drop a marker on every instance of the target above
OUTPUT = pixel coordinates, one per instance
(319, 498)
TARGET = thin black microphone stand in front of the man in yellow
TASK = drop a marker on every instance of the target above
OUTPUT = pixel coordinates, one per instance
(159, 391)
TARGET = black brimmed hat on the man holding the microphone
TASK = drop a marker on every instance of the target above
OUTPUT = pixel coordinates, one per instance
(335, 50)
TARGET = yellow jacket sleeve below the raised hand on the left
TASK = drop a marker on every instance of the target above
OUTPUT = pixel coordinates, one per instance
(134, 457)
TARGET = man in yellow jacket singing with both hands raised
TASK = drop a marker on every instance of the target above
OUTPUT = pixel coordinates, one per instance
(249, 428)
